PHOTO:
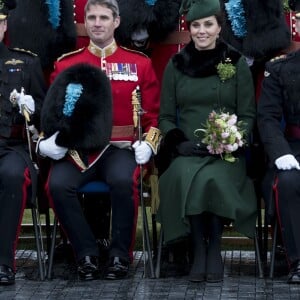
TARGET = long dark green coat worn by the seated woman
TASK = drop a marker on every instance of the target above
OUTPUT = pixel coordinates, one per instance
(194, 184)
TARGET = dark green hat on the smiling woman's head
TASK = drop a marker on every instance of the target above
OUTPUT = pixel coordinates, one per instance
(198, 9)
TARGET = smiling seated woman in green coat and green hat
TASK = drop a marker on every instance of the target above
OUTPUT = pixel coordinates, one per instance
(200, 192)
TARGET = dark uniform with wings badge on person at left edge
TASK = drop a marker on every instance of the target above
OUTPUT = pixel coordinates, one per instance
(18, 69)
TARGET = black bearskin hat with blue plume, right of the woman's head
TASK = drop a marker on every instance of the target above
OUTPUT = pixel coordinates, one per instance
(267, 32)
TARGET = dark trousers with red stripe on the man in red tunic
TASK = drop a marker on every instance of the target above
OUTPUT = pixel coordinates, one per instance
(117, 167)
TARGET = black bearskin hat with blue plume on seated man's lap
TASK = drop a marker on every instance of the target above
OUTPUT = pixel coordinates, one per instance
(78, 104)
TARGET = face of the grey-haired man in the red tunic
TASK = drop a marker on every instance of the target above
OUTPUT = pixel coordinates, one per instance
(100, 25)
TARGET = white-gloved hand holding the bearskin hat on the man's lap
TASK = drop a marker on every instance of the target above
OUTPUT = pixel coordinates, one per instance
(49, 148)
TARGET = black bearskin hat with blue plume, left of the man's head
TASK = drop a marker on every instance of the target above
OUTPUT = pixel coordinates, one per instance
(44, 27)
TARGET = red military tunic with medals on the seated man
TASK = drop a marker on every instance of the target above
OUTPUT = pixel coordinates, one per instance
(126, 69)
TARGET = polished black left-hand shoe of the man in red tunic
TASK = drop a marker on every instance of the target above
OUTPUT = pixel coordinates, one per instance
(88, 268)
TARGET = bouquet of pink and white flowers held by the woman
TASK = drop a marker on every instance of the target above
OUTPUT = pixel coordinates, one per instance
(222, 134)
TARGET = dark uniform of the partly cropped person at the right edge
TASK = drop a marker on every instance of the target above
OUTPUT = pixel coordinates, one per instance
(279, 127)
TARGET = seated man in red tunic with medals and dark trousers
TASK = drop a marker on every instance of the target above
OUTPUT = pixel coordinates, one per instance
(117, 165)
